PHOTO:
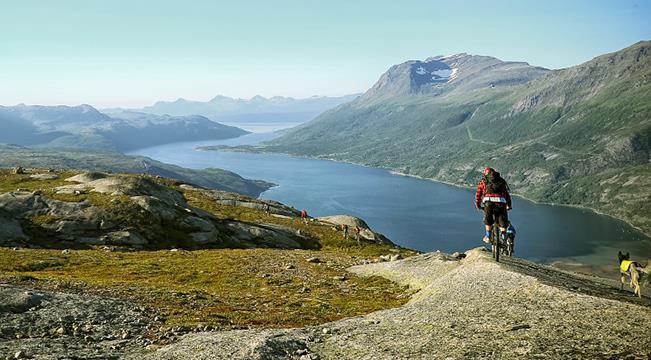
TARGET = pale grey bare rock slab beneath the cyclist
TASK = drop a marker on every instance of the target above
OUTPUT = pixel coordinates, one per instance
(464, 307)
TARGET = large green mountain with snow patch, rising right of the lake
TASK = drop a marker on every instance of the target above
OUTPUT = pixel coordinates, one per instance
(578, 136)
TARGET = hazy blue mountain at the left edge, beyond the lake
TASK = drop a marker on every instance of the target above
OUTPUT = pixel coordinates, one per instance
(85, 127)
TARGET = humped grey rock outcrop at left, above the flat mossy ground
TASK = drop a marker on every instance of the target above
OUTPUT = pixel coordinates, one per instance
(134, 212)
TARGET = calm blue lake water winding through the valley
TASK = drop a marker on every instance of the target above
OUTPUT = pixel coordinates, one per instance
(415, 213)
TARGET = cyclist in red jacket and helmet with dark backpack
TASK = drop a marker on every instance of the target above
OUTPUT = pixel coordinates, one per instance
(493, 197)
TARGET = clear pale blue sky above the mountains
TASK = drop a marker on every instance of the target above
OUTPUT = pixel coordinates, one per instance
(132, 53)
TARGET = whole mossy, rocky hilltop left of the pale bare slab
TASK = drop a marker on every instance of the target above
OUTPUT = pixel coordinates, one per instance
(105, 265)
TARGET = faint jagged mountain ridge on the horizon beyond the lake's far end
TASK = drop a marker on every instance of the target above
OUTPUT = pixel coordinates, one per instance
(241, 111)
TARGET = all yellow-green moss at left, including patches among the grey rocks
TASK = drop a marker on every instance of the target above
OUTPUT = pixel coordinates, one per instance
(227, 288)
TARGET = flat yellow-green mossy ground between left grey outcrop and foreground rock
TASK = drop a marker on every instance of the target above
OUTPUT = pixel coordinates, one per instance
(223, 288)
